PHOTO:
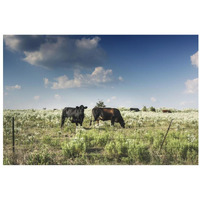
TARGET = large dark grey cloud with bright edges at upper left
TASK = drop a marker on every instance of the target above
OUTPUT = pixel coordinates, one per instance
(58, 51)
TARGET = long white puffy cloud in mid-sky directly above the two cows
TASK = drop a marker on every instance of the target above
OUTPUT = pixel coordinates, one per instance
(98, 77)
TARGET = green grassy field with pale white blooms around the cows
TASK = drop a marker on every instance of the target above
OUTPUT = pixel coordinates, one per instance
(40, 141)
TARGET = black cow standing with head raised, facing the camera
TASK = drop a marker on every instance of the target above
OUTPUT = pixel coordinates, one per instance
(76, 115)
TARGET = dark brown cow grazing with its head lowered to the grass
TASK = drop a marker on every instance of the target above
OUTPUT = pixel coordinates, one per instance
(105, 114)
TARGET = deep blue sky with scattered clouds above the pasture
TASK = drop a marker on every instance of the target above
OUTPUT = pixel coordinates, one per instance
(122, 70)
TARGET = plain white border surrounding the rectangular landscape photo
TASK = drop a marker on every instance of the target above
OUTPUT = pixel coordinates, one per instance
(98, 17)
